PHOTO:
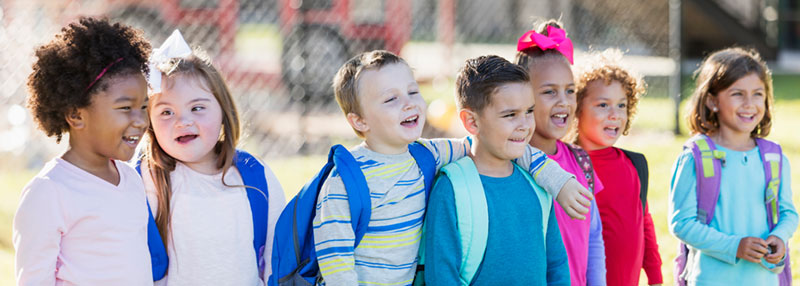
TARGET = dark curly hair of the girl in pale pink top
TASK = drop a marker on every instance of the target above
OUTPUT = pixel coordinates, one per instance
(66, 66)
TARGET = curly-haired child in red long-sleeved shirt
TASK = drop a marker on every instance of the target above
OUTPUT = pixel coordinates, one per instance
(607, 96)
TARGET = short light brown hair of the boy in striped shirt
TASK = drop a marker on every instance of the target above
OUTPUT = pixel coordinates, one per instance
(345, 83)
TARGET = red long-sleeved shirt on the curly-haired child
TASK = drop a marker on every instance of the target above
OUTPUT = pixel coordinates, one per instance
(629, 235)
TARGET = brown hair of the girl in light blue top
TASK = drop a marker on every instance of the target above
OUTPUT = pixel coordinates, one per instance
(718, 72)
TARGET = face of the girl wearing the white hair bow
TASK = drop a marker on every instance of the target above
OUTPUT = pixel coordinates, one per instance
(187, 120)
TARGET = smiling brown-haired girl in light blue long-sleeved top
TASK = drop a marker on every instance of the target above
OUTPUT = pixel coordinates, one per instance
(732, 106)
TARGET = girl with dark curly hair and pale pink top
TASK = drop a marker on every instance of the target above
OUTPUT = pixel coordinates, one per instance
(83, 219)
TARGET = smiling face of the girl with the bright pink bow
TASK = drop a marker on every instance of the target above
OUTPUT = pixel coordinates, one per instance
(554, 89)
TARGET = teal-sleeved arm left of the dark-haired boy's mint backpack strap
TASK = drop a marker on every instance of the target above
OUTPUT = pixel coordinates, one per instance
(442, 242)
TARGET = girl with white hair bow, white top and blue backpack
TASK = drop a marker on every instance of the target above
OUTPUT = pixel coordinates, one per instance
(214, 206)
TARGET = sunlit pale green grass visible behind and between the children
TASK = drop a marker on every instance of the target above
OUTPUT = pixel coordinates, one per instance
(651, 135)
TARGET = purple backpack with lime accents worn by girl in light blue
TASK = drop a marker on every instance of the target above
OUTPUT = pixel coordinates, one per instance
(708, 164)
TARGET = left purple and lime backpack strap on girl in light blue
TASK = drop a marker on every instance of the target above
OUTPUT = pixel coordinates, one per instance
(708, 166)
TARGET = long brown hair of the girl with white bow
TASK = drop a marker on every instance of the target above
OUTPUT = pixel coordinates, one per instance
(159, 162)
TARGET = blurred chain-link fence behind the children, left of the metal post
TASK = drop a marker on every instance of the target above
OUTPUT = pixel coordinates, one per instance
(279, 56)
